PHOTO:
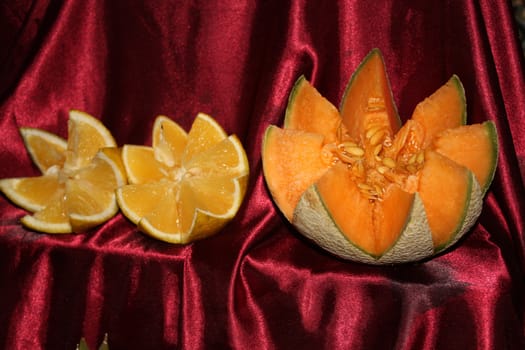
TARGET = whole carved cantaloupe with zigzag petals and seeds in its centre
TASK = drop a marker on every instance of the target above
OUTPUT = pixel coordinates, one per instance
(367, 188)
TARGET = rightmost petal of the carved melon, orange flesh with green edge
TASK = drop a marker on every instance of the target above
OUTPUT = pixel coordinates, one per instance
(473, 146)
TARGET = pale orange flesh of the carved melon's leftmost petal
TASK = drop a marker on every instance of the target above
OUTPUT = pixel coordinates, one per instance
(292, 162)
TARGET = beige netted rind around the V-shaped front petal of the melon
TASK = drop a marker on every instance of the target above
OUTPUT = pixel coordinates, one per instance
(313, 220)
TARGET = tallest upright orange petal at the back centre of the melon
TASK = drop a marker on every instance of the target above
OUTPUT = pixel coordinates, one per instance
(368, 96)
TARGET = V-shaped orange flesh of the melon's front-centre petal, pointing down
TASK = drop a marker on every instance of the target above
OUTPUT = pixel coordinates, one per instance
(382, 221)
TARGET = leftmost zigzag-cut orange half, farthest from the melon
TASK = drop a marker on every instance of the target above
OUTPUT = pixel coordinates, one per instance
(76, 190)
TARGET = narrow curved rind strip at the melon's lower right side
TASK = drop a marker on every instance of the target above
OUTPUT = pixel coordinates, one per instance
(472, 211)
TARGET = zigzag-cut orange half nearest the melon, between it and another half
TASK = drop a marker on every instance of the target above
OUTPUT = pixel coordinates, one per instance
(187, 186)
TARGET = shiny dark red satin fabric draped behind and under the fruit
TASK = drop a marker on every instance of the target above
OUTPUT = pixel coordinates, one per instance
(258, 284)
